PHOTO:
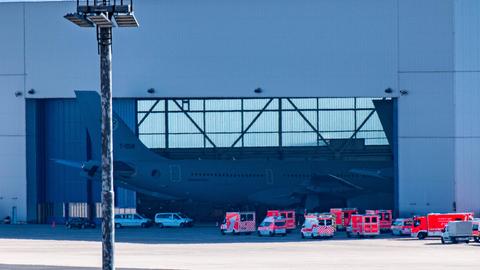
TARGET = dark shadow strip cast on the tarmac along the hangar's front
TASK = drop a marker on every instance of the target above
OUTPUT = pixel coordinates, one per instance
(195, 235)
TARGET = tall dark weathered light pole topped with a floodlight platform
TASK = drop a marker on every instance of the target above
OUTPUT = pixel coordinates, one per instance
(105, 14)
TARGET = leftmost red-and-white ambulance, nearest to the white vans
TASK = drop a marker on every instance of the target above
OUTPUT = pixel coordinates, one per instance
(238, 222)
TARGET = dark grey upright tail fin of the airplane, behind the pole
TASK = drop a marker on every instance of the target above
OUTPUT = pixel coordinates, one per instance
(126, 146)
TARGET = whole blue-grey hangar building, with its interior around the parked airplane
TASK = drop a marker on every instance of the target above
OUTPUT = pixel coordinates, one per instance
(391, 81)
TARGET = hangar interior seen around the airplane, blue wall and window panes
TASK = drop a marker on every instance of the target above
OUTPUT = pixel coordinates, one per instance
(197, 128)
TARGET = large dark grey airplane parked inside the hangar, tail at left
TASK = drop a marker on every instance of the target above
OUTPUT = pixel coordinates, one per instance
(281, 183)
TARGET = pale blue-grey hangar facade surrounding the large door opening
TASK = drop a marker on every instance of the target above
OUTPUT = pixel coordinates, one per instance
(310, 48)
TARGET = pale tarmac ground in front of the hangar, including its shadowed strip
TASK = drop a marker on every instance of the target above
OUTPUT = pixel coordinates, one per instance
(28, 247)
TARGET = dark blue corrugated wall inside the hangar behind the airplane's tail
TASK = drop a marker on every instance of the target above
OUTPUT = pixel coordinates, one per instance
(66, 138)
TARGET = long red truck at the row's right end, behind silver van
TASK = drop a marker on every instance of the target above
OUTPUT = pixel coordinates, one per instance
(433, 224)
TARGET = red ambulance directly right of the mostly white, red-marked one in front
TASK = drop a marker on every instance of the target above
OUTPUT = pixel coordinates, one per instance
(363, 225)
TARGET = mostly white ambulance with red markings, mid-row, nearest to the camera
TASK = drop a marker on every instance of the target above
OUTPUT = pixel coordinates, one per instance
(318, 225)
